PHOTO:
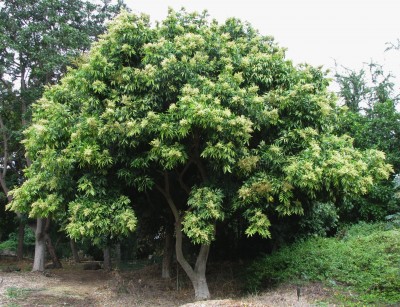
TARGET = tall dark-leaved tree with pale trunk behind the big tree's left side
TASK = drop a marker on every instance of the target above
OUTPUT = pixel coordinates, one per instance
(37, 40)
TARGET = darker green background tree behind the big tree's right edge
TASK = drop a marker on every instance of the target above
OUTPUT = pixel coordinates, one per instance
(373, 121)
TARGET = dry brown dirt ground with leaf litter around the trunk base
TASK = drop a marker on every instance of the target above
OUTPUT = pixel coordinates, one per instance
(73, 286)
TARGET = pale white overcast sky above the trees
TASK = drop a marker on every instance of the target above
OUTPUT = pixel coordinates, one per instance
(318, 32)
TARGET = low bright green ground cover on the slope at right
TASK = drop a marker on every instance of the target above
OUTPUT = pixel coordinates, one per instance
(364, 259)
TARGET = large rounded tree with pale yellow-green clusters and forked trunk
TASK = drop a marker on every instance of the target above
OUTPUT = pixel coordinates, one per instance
(212, 117)
